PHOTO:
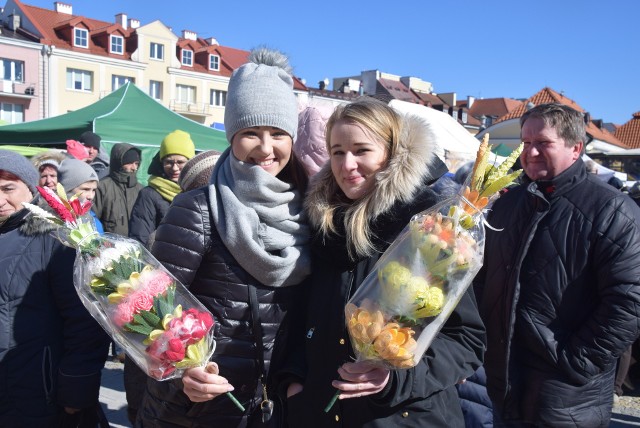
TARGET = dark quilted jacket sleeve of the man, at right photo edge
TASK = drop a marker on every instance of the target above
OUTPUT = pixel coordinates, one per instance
(615, 323)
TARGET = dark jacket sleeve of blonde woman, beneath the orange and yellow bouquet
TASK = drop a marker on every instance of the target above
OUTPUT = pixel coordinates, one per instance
(455, 354)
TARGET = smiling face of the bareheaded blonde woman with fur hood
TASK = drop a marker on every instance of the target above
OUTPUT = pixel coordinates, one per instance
(355, 157)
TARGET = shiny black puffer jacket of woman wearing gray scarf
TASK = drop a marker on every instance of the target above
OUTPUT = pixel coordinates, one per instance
(188, 244)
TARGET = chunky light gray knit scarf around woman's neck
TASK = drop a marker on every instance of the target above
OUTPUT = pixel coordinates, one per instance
(261, 222)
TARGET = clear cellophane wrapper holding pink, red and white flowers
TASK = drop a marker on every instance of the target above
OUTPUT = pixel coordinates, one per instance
(160, 325)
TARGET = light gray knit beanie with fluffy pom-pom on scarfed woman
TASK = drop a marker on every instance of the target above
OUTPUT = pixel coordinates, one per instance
(261, 94)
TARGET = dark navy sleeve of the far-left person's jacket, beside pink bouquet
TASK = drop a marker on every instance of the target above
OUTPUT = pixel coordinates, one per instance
(85, 344)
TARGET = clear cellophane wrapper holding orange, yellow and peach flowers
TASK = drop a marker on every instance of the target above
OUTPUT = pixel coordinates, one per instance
(402, 304)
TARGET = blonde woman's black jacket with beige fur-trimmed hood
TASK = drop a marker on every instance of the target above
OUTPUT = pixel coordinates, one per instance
(423, 396)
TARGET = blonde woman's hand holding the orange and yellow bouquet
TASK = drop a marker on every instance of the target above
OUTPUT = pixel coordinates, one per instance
(361, 379)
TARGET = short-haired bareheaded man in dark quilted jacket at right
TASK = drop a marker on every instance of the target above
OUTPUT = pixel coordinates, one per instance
(560, 282)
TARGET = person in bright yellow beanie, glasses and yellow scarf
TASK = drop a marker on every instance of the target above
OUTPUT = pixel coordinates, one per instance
(154, 200)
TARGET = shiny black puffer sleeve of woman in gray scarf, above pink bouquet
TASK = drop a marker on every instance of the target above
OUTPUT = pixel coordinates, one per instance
(183, 236)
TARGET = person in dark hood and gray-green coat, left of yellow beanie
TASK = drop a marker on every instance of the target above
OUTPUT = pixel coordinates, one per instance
(117, 193)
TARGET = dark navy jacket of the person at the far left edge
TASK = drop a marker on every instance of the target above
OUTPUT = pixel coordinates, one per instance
(51, 350)
